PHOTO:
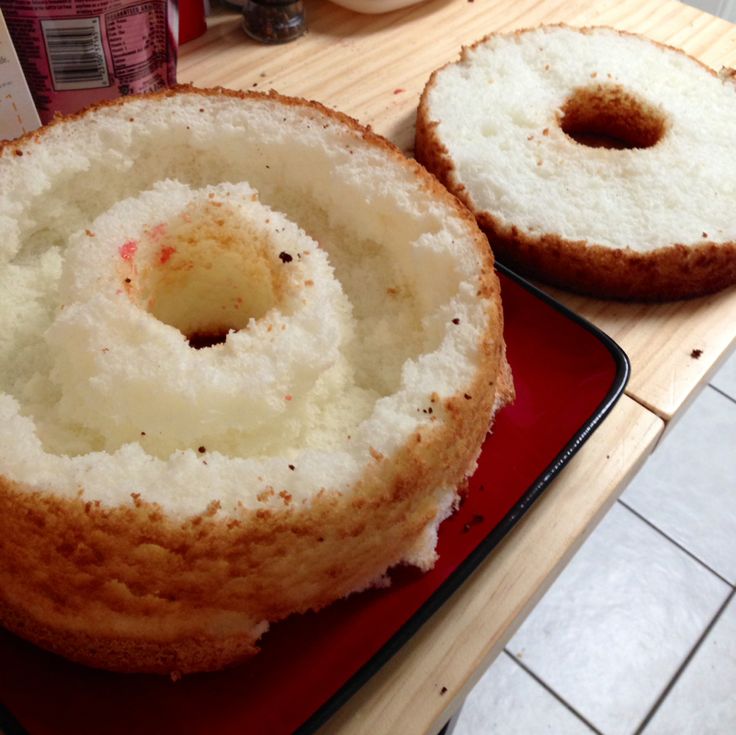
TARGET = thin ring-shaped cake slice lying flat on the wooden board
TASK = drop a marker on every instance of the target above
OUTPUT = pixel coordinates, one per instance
(594, 159)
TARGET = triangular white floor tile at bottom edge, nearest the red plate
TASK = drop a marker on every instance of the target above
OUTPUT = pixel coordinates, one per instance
(508, 701)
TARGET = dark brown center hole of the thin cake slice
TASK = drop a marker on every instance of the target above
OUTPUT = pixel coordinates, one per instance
(608, 116)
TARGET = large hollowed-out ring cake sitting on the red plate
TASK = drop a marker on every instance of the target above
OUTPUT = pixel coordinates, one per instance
(249, 353)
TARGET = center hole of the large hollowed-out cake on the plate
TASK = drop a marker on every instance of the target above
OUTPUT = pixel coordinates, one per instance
(209, 273)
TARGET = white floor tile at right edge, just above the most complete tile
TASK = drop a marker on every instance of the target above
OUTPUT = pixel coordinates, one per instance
(687, 488)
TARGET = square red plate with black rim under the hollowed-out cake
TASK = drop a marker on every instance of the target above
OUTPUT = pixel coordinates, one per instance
(568, 375)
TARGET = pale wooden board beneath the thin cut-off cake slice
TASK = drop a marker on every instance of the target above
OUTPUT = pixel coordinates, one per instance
(374, 67)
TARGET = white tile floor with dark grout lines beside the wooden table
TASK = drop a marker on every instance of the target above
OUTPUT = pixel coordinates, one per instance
(638, 634)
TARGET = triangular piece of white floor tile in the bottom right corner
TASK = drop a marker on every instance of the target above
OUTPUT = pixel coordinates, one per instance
(702, 700)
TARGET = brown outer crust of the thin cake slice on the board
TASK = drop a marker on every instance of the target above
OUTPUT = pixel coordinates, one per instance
(673, 272)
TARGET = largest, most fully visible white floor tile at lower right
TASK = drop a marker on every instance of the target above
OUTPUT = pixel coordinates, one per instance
(612, 631)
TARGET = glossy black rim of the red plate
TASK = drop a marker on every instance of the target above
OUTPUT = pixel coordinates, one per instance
(10, 726)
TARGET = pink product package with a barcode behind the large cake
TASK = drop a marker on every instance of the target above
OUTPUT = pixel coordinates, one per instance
(77, 52)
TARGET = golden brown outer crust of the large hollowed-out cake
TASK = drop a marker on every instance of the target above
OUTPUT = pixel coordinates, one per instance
(131, 589)
